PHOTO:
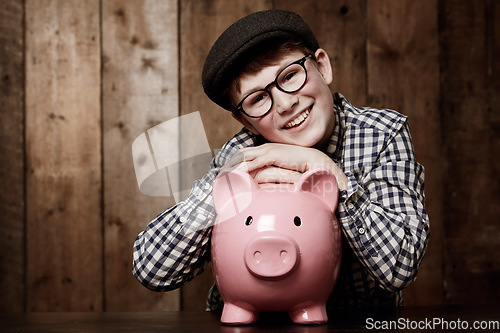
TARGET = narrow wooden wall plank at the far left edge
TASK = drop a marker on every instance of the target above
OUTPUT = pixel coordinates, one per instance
(12, 248)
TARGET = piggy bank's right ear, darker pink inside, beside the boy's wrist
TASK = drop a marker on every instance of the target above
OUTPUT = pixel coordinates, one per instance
(322, 183)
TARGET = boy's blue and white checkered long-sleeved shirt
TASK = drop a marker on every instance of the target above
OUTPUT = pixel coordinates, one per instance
(382, 214)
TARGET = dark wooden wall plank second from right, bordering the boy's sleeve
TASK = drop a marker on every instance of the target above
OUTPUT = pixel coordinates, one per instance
(403, 74)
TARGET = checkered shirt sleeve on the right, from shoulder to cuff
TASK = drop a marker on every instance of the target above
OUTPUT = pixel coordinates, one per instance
(383, 214)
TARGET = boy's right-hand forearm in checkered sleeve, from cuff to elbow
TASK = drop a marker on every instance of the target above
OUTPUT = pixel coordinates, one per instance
(389, 242)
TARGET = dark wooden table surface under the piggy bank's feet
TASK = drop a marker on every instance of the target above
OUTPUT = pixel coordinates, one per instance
(416, 319)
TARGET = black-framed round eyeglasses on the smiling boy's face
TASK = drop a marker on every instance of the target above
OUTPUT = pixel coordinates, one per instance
(289, 80)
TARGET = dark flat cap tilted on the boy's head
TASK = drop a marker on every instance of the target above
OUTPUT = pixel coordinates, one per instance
(246, 35)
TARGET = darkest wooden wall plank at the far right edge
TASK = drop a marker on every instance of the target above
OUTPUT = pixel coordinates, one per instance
(470, 90)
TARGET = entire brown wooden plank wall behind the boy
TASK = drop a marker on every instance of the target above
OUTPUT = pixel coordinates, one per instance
(80, 80)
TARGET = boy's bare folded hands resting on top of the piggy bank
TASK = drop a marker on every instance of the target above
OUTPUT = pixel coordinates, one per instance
(283, 163)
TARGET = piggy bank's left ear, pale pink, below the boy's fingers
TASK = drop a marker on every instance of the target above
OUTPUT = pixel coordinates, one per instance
(233, 191)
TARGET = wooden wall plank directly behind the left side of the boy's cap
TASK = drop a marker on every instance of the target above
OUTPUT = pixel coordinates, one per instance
(201, 23)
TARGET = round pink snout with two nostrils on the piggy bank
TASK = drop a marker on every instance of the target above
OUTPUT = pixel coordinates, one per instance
(271, 256)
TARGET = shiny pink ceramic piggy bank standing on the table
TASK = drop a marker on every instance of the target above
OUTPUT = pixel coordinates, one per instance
(275, 247)
